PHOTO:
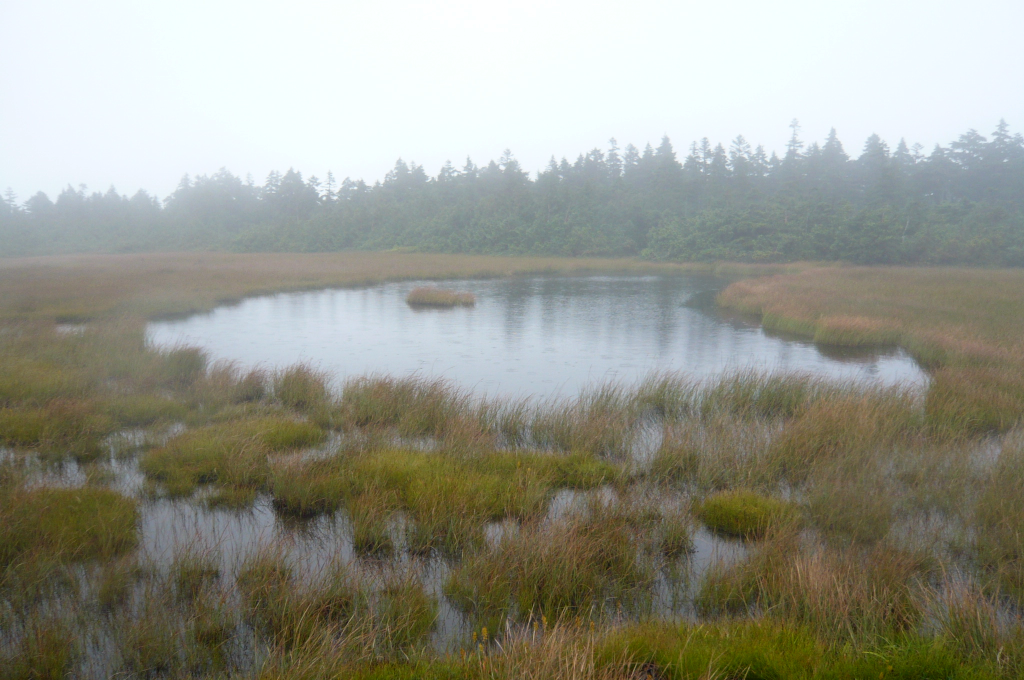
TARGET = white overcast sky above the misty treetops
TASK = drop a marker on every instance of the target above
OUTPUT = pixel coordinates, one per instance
(136, 95)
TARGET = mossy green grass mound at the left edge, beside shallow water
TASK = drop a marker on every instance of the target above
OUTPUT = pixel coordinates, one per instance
(67, 524)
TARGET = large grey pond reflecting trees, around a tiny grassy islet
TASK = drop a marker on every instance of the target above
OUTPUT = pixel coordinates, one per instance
(540, 336)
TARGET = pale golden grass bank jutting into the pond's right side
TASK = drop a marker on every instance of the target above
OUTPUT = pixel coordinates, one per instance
(940, 314)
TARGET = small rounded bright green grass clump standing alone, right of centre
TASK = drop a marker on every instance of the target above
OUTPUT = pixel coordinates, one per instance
(746, 515)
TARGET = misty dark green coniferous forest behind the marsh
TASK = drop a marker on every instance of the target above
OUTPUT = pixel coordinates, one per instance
(960, 204)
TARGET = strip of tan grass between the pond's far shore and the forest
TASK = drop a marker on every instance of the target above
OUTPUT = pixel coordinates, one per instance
(80, 287)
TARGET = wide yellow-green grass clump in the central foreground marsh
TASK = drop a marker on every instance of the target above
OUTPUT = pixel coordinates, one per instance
(449, 498)
